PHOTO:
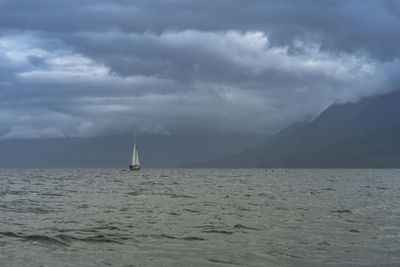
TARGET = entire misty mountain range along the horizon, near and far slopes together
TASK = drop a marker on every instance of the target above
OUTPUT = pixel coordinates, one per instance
(365, 134)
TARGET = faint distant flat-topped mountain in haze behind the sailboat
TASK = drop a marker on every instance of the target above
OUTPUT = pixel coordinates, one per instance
(114, 151)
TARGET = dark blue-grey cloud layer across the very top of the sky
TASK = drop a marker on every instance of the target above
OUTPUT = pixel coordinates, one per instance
(341, 25)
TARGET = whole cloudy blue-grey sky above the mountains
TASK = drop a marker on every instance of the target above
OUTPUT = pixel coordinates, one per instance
(87, 68)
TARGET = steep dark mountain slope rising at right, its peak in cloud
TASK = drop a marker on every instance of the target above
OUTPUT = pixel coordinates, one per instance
(361, 134)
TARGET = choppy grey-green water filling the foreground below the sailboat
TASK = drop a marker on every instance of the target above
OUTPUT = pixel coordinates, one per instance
(199, 218)
